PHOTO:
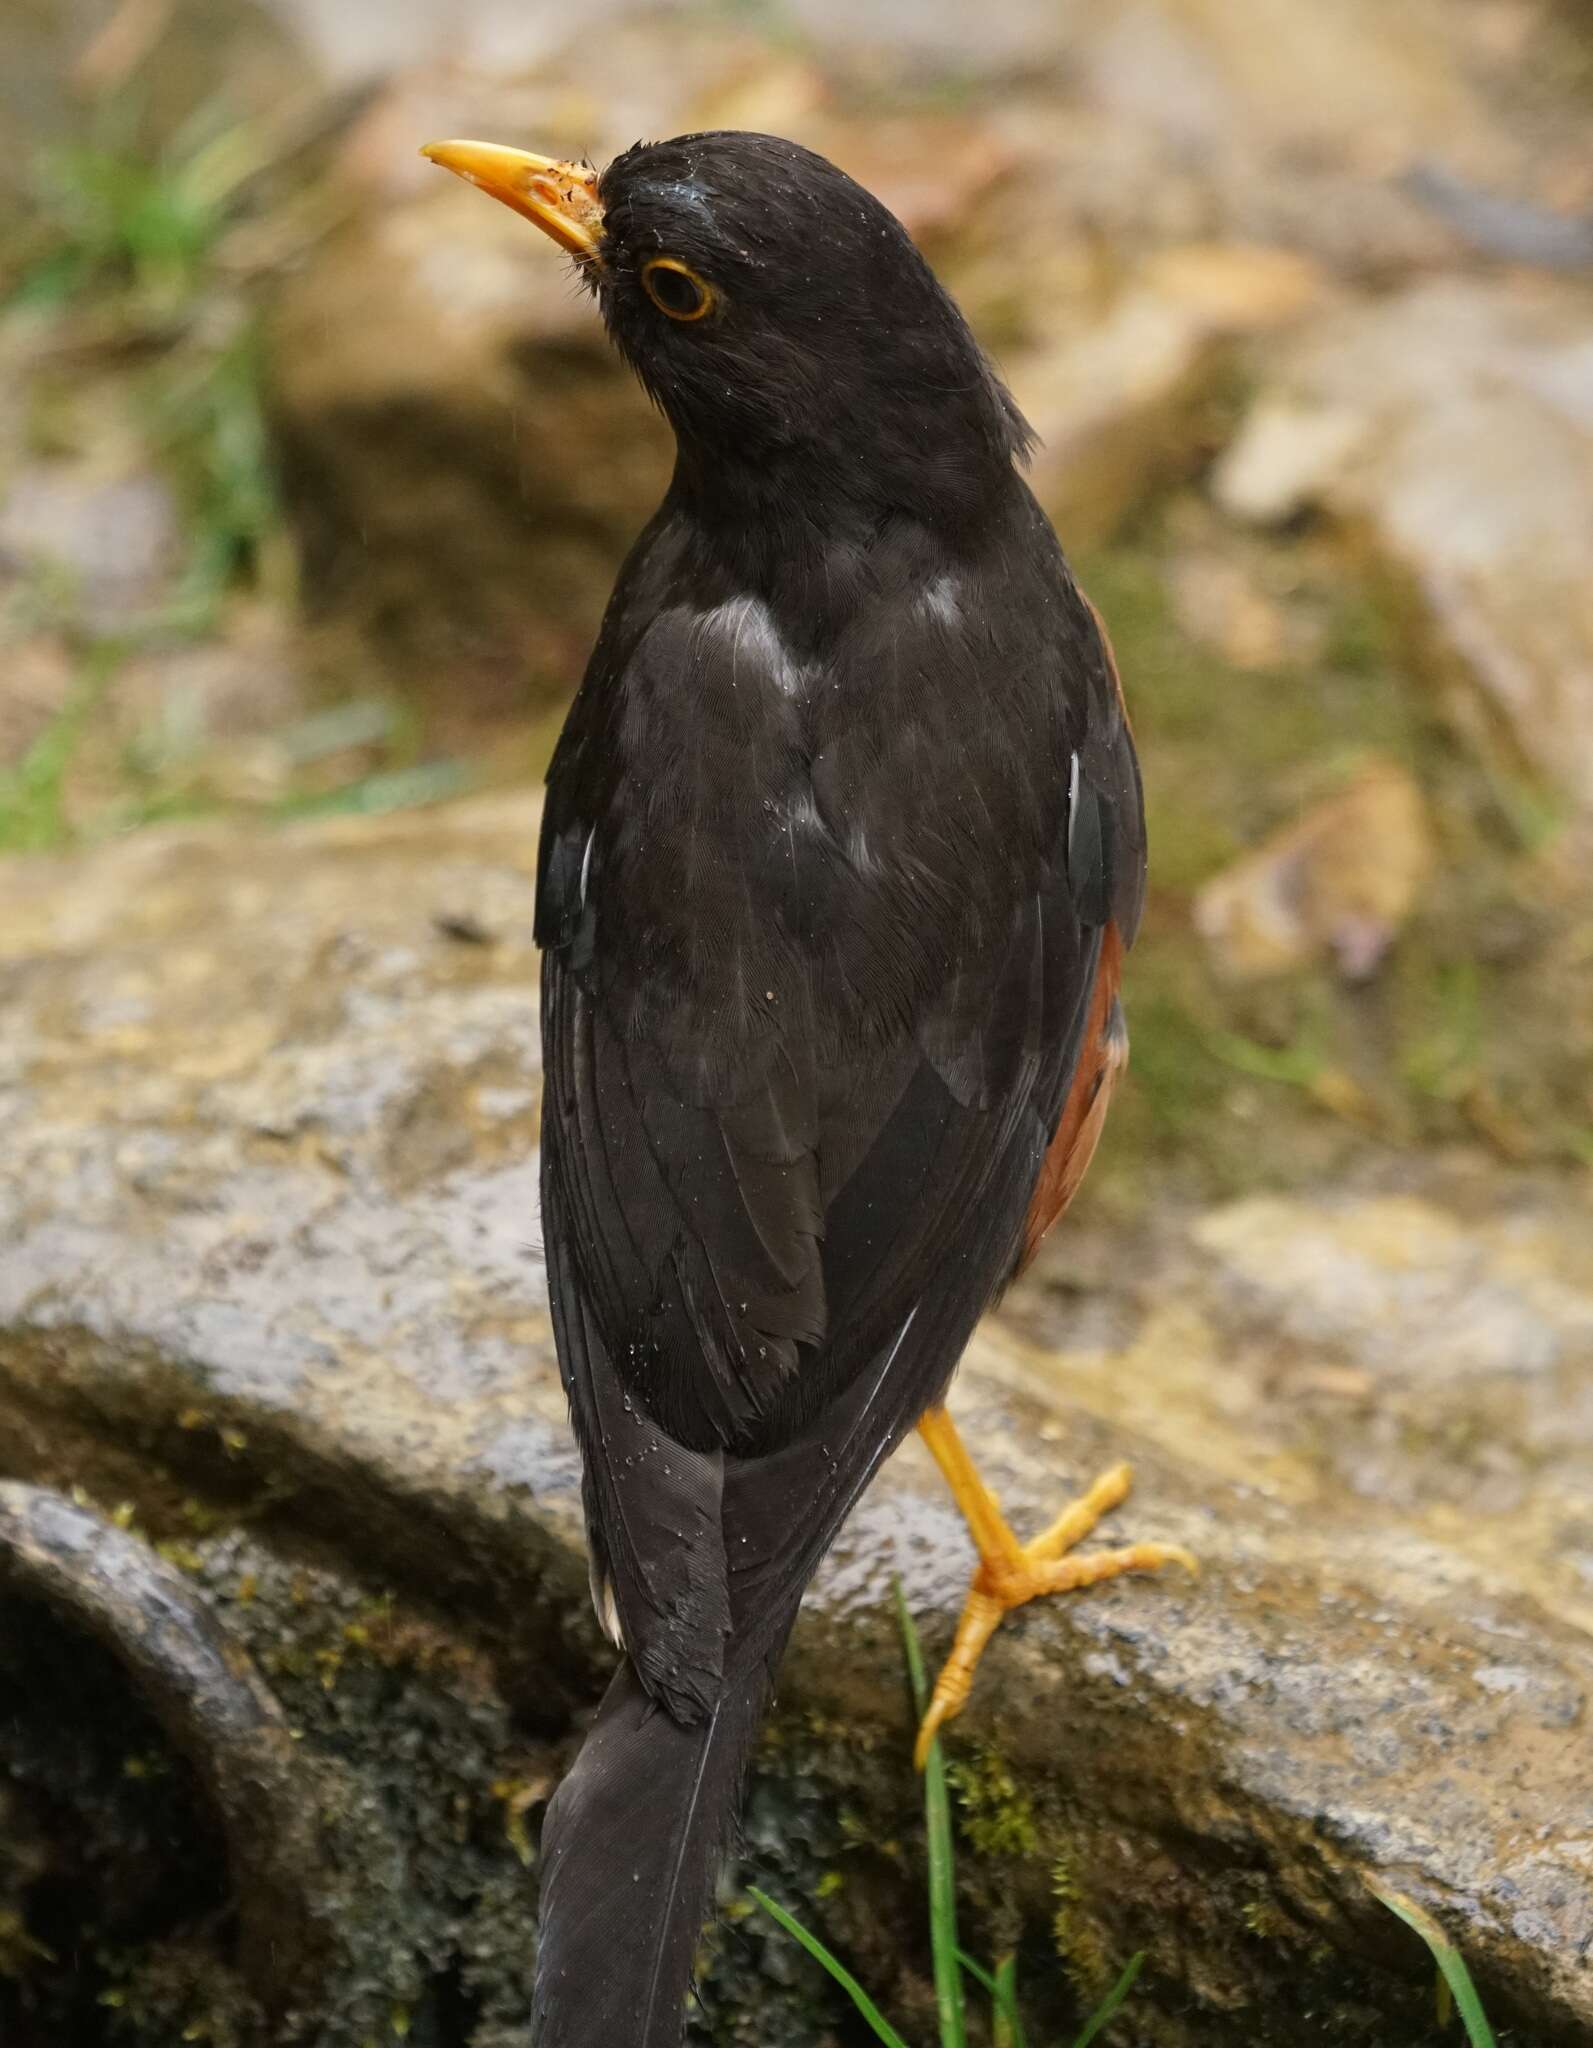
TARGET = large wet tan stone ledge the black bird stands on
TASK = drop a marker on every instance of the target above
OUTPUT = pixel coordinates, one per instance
(269, 1244)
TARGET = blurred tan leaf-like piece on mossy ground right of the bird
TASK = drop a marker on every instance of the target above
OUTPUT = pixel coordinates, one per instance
(1338, 882)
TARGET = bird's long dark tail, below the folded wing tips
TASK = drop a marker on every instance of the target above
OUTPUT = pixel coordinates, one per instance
(632, 1850)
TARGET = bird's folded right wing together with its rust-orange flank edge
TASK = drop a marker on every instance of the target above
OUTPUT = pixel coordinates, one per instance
(1013, 1076)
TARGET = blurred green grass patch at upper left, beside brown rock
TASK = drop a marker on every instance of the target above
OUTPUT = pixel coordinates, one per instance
(130, 284)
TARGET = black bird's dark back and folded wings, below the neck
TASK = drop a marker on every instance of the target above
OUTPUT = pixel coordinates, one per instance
(814, 1002)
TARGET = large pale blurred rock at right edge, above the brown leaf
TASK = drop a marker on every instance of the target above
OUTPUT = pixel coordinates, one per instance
(1455, 425)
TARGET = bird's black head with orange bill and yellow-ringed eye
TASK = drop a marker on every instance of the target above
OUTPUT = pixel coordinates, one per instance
(777, 312)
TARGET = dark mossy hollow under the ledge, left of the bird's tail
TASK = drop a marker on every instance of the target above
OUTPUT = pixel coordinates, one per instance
(408, 1826)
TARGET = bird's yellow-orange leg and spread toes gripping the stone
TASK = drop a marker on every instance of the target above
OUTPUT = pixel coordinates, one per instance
(1013, 1574)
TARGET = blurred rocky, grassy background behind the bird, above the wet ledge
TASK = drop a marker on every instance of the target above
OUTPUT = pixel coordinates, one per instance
(314, 470)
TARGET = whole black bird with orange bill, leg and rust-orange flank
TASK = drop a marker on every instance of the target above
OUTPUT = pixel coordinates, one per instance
(841, 857)
